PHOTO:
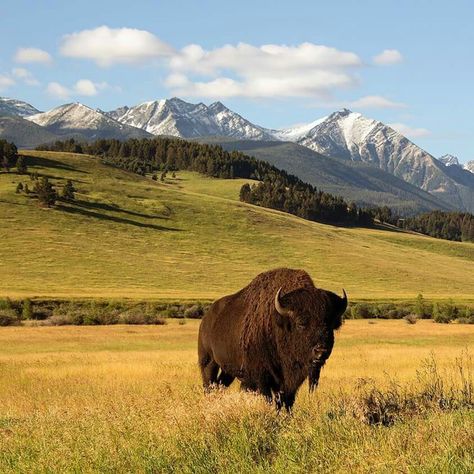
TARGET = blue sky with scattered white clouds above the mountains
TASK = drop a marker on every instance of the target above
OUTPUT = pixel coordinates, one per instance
(322, 56)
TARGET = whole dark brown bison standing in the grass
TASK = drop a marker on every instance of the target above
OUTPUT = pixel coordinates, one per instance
(270, 335)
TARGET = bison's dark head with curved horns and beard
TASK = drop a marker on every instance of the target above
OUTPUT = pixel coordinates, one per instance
(310, 316)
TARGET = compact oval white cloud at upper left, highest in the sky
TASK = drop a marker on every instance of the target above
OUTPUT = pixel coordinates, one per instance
(107, 46)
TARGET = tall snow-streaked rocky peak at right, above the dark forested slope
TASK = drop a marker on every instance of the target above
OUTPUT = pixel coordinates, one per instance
(353, 137)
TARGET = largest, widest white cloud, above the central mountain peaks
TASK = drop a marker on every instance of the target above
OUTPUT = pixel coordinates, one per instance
(306, 70)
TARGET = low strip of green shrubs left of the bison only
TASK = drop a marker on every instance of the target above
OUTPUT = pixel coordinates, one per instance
(59, 313)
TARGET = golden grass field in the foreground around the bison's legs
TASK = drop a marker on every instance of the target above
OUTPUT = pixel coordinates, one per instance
(129, 399)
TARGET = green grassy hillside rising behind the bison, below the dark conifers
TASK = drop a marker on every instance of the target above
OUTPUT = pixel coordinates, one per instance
(130, 237)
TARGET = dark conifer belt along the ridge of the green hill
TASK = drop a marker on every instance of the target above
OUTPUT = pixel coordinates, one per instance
(276, 188)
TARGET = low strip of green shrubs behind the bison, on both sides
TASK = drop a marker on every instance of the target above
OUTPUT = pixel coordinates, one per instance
(99, 312)
